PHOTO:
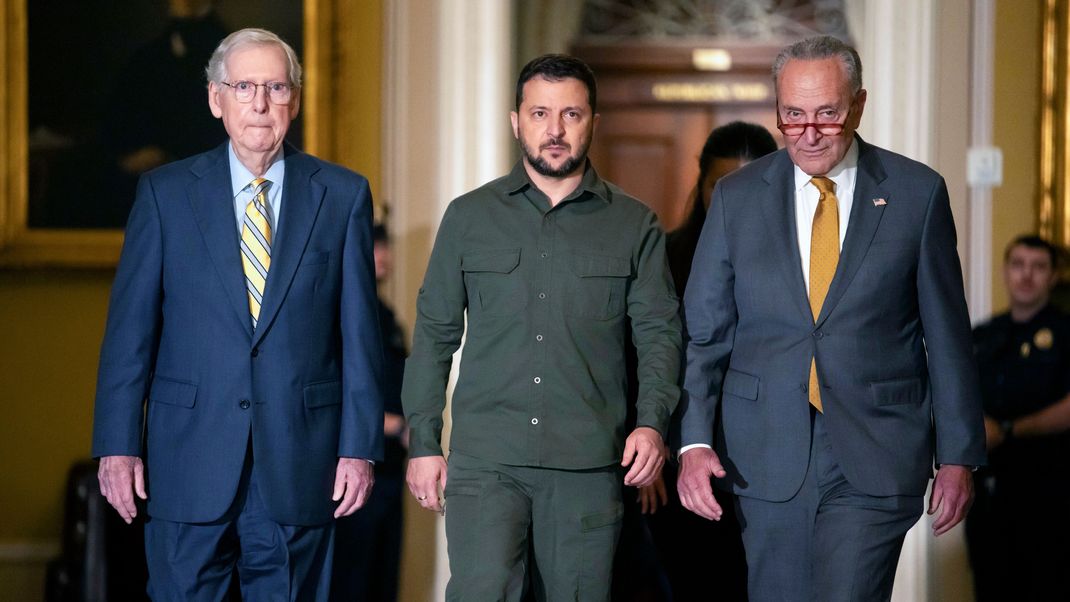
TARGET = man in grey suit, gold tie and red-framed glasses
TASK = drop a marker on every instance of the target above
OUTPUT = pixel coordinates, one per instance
(828, 326)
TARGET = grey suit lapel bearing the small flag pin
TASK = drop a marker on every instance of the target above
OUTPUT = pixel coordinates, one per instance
(865, 218)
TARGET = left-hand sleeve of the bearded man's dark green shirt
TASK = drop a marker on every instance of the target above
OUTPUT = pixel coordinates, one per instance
(437, 335)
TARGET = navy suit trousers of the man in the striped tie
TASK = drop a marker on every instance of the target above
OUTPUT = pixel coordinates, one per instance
(274, 562)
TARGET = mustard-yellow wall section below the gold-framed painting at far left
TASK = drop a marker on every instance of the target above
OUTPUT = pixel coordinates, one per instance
(53, 323)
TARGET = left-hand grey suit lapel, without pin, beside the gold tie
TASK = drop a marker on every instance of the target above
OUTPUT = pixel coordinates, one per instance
(778, 207)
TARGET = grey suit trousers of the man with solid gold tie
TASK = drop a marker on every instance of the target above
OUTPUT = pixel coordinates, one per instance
(831, 543)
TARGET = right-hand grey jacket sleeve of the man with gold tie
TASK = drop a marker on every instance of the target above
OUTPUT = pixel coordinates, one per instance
(945, 323)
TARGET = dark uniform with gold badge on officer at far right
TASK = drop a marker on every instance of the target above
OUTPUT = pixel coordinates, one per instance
(1019, 528)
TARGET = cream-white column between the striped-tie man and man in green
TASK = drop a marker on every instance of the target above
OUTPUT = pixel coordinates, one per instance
(448, 96)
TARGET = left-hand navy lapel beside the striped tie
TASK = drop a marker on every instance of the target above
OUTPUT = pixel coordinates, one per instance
(213, 209)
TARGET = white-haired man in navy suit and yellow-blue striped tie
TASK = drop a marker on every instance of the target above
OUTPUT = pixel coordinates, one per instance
(239, 389)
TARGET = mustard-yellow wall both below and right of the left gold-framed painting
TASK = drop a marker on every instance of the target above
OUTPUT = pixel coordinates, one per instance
(53, 322)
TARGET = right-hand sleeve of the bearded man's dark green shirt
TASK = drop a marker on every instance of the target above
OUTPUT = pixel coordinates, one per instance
(655, 330)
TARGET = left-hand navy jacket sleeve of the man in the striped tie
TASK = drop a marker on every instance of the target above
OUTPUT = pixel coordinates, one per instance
(132, 334)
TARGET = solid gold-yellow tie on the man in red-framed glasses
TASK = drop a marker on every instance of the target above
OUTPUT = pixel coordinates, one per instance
(824, 256)
